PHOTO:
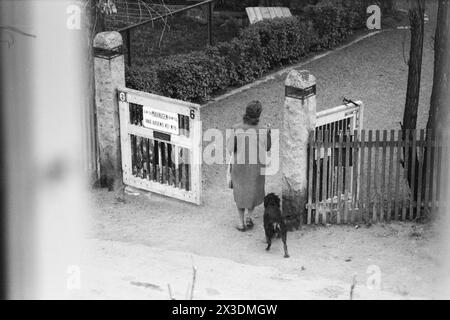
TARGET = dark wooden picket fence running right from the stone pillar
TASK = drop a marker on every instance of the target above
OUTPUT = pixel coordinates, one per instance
(373, 175)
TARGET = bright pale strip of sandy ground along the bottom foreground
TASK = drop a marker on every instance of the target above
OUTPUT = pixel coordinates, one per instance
(117, 270)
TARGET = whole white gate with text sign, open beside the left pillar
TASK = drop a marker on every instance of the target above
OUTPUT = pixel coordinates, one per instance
(161, 144)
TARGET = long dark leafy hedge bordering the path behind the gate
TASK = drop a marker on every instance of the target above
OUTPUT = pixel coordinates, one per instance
(258, 49)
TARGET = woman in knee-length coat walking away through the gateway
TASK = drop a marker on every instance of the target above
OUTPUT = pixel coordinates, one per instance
(248, 146)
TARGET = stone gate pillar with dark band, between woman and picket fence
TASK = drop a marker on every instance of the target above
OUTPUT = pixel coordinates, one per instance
(299, 118)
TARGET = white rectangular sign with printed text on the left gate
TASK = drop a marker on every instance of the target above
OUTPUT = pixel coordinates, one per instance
(160, 120)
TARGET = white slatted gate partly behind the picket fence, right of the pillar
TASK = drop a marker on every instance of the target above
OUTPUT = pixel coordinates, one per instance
(334, 127)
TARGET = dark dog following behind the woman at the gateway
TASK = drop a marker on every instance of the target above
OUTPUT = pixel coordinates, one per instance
(273, 221)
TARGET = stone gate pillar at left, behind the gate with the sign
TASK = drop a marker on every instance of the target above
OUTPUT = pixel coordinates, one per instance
(109, 75)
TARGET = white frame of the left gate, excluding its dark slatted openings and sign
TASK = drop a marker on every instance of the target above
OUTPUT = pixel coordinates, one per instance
(193, 142)
